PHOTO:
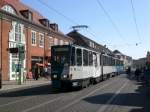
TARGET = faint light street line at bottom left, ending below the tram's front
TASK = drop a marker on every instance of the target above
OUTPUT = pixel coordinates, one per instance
(40, 105)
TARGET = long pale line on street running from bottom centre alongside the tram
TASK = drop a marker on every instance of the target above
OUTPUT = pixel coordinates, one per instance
(77, 100)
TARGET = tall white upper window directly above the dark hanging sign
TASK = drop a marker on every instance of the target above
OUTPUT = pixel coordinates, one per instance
(18, 33)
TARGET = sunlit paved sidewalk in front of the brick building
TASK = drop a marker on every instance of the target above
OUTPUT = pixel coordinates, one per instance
(8, 86)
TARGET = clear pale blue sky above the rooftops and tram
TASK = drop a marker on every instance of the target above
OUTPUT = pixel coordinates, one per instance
(118, 31)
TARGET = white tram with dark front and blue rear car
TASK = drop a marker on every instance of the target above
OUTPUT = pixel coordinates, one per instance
(76, 66)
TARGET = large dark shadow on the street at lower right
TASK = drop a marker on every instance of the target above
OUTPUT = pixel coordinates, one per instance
(139, 99)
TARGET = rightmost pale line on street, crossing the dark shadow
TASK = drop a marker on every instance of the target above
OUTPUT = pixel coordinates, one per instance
(103, 108)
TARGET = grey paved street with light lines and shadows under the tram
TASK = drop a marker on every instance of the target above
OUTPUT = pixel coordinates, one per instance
(118, 94)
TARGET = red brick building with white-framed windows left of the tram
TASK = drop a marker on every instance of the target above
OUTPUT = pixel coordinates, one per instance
(23, 26)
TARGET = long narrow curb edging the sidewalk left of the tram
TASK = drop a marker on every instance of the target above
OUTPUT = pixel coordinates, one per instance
(22, 88)
